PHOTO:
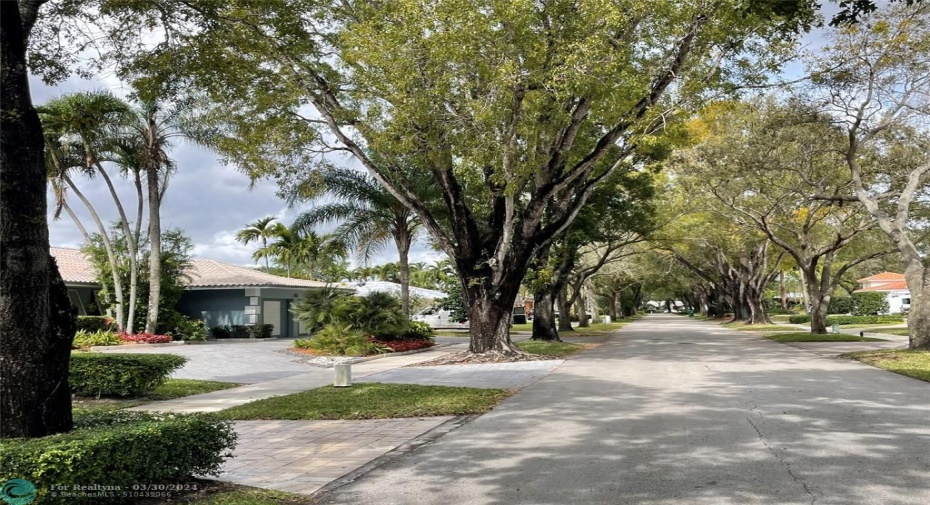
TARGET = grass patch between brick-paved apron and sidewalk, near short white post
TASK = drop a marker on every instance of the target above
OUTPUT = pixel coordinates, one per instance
(371, 401)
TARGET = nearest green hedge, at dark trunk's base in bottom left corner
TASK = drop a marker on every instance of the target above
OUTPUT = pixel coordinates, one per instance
(118, 452)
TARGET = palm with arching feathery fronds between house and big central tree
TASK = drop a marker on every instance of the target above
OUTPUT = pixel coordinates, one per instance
(369, 217)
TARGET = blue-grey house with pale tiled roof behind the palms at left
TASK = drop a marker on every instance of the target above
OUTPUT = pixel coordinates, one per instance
(218, 293)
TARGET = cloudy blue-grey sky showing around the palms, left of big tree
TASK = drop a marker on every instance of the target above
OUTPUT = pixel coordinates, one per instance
(208, 200)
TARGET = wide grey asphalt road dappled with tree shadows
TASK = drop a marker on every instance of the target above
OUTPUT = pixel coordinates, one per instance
(676, 411)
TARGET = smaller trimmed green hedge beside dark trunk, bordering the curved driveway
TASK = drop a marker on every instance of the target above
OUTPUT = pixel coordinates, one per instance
(120, 374)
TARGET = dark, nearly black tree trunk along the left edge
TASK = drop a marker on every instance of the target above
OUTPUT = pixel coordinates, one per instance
(36, 321)
